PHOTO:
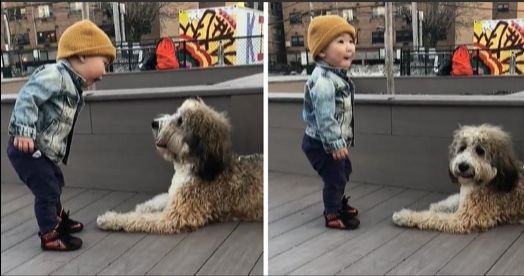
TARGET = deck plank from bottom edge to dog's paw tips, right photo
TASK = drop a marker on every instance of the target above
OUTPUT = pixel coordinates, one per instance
(347, 252)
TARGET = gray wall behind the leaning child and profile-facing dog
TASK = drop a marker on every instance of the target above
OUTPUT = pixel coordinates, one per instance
(113, 147)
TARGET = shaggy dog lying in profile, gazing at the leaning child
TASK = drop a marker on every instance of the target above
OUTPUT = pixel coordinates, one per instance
(210, 183)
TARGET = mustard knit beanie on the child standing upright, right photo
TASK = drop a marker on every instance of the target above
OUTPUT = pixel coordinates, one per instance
(323, 29)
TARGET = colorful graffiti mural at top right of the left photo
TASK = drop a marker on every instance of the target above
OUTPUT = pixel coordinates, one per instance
(222, 35)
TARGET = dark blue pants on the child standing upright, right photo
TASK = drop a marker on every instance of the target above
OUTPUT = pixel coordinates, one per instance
(334, 173)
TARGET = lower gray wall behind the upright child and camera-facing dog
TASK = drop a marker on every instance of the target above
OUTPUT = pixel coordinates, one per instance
(401, 140)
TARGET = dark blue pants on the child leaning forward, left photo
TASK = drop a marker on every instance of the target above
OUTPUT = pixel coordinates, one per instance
(45, 180)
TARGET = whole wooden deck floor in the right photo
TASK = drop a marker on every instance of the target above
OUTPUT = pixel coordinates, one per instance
(299, 243)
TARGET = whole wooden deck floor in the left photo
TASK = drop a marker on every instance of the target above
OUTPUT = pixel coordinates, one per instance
(219, 249)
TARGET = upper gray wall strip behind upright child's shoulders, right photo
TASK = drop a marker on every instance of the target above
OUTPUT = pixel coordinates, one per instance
(476, 85)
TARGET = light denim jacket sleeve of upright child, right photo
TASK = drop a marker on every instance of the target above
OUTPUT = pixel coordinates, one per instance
(323, 98)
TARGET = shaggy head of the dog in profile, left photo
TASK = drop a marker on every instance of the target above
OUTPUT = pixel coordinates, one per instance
(196, 135)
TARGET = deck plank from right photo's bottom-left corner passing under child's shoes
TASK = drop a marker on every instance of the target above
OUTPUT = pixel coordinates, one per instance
(327, 241)
